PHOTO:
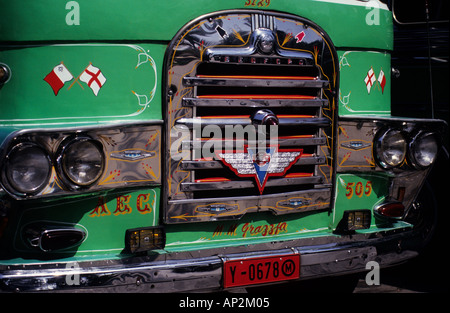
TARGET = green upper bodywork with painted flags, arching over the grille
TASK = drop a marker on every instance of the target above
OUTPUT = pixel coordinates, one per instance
(28, 100)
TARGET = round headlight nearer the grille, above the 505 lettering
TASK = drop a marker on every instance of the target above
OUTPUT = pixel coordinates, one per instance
(391, 148)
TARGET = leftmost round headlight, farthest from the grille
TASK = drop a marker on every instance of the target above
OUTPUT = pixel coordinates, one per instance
(28, 168)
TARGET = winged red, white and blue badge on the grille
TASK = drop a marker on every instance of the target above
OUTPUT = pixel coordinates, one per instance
(260, 164)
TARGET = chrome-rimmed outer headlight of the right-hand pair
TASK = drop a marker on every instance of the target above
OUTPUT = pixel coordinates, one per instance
(415, 149)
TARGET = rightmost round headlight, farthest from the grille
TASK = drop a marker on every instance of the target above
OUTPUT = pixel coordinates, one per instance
(423, 150)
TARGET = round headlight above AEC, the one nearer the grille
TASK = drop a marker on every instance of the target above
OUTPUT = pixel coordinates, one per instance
(82, 161)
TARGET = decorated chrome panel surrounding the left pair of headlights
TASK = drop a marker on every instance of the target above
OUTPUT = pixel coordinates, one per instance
(114, 138)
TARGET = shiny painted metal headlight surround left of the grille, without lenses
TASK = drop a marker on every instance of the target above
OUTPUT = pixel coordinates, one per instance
(117, 144)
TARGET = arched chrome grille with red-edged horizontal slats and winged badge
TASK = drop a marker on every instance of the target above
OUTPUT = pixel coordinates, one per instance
(219, 78)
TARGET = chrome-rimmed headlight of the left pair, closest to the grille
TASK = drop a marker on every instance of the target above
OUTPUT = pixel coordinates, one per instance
(67, 154)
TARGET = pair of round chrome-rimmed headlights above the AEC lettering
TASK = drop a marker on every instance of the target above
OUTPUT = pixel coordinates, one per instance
(28, 166)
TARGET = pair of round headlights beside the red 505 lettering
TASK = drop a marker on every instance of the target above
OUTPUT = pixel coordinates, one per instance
(394, 147)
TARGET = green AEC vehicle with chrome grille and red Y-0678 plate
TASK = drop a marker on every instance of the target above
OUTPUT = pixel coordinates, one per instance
(169, 146)
